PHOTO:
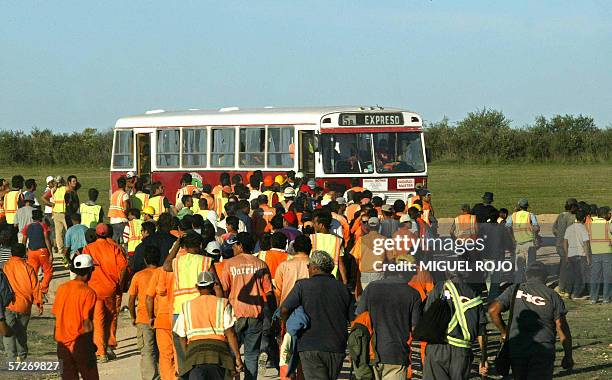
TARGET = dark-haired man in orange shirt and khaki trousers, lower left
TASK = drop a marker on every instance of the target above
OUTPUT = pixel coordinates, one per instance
(145, 335)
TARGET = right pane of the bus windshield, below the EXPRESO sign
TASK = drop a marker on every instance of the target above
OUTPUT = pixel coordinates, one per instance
(399, 152)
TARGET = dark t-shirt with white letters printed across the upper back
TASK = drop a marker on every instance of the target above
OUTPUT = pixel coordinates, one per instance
(536, 309)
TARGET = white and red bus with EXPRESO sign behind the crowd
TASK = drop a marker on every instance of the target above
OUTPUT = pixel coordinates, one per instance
(382, 147)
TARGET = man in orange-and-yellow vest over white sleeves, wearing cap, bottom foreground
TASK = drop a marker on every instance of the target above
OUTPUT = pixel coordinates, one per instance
(206, 327)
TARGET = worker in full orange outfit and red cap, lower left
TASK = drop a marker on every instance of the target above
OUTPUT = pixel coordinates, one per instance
(111, 268)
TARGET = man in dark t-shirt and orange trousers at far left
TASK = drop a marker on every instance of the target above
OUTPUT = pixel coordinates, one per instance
(36, 238)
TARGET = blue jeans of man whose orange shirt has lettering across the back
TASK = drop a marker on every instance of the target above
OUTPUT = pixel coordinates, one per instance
(249, 331)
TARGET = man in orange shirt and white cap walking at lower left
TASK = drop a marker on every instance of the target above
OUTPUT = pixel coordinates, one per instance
(73, 309)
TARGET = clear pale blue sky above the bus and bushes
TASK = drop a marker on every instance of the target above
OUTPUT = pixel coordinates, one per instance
(68, 65)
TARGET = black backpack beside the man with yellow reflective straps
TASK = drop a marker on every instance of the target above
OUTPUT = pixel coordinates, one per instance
(433, 326)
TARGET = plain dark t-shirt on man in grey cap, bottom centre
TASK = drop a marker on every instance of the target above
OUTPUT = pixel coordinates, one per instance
(326, 302)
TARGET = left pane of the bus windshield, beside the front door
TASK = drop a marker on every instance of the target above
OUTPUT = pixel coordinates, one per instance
(347, 153)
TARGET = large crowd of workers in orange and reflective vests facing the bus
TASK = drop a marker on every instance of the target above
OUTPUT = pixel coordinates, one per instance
(282, 268)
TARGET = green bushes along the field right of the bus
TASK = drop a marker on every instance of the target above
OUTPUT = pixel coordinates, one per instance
(486, 136)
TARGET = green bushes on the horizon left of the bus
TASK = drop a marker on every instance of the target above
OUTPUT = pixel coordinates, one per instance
(43, 147)
